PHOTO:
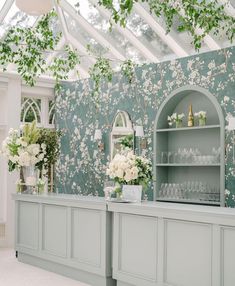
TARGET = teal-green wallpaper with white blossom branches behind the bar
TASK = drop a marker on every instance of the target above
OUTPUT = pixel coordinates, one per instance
(81, 167)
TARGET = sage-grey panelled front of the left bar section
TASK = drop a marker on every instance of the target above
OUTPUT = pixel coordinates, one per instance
(74, 237)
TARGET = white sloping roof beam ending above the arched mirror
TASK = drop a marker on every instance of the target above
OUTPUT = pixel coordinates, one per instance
(92, 31)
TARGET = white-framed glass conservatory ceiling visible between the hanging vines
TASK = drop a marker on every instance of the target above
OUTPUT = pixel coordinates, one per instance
(143, 40)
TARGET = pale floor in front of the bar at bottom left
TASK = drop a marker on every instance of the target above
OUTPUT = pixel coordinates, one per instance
(14, 273)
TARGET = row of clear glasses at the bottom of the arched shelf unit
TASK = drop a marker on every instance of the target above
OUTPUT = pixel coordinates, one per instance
(189, 191)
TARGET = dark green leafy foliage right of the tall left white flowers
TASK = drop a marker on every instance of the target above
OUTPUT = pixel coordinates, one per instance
(50, 138)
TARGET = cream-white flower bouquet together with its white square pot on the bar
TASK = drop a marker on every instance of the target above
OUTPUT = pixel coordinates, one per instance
(132, 172)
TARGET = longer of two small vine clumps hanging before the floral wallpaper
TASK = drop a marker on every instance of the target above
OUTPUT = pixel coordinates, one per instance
(101, 70)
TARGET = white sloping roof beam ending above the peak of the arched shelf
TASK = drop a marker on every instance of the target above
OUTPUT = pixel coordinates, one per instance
(161, 32)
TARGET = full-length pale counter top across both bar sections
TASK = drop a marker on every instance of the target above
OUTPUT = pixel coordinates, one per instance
(155, 209)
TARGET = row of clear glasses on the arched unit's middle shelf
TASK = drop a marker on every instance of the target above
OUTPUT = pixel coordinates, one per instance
(191, 155)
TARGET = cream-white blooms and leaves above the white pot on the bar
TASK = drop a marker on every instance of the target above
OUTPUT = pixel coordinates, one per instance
(130, 169)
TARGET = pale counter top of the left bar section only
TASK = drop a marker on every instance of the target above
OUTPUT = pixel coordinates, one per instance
(71, 200)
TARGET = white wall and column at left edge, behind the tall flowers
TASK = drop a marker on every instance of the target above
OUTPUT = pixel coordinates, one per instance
(11, 91)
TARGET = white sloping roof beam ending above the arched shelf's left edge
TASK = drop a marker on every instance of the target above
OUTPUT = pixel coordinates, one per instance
(129, 35)
